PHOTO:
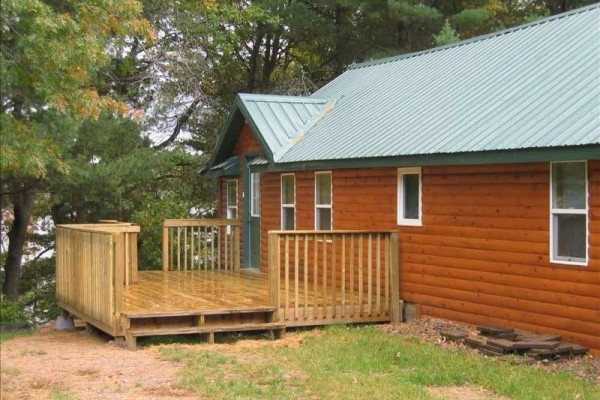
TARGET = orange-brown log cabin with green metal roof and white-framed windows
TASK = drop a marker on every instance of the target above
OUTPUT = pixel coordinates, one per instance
(481, 157)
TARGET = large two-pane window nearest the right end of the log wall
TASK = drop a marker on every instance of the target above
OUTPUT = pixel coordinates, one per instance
(568, 213)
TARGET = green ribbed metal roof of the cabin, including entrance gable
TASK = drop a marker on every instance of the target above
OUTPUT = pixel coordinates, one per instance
(533, 87)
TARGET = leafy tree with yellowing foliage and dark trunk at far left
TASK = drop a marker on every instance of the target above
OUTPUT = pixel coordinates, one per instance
(51, 55)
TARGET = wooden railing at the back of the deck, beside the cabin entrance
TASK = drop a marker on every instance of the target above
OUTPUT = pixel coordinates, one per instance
(201, 244)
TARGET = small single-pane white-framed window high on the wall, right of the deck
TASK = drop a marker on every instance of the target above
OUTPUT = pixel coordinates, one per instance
(409, 196)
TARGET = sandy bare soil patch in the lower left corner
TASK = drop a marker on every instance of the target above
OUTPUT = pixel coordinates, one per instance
(85, 366)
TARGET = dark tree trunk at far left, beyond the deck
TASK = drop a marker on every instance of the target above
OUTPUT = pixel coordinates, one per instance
(22, 207)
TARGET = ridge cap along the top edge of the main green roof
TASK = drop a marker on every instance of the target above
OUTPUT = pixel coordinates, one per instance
(475, 39)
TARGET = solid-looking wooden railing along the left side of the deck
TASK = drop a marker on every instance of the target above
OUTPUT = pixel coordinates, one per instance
(94, 263)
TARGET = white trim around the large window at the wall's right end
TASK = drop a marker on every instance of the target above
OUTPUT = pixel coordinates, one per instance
(583, 211)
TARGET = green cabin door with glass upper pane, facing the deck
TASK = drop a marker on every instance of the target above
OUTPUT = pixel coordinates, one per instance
(252, 218)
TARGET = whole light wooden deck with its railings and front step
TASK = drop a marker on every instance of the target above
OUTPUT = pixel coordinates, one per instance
(314, 278)
